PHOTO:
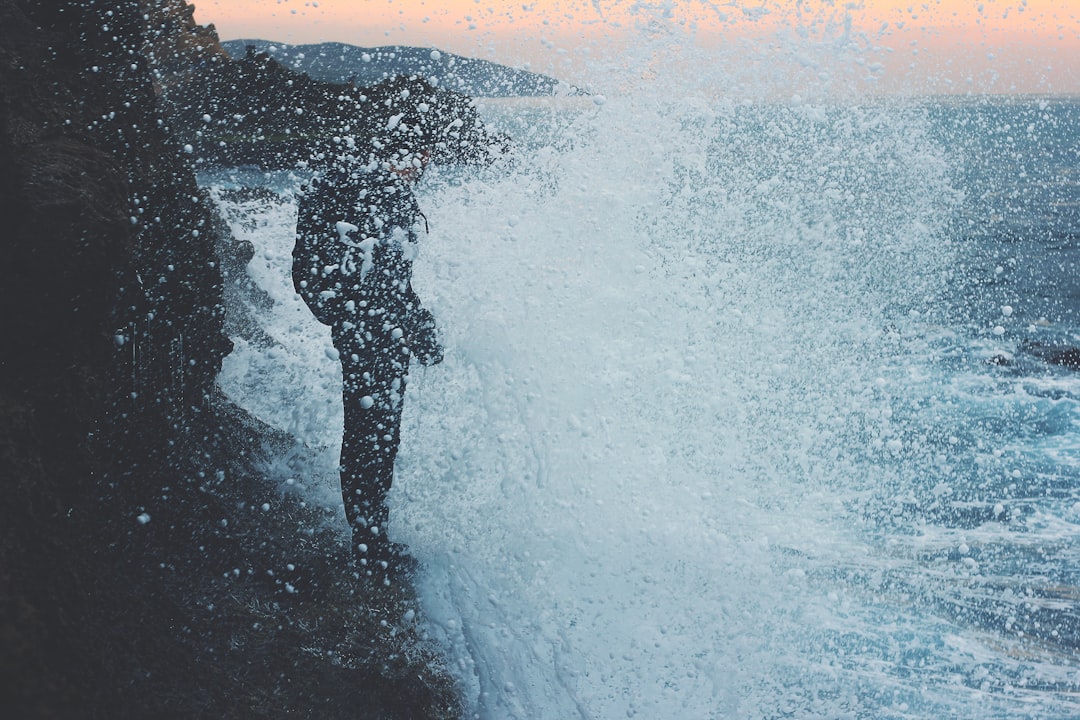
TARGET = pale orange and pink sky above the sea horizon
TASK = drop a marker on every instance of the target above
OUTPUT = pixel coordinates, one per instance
(886, 46)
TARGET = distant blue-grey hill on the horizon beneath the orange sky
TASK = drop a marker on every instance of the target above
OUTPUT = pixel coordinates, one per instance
(341, 63)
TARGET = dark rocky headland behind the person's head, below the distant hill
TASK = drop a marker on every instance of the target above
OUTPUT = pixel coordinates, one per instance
(253, 111)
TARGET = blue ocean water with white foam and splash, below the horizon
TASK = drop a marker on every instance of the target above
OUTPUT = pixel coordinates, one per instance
(746, 411)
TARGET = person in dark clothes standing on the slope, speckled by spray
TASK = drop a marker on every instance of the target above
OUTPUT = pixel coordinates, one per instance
(358, 230)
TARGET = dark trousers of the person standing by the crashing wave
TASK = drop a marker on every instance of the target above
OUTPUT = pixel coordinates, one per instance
(373, 391)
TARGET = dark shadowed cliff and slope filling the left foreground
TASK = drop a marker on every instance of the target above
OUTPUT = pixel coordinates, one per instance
(139, 575)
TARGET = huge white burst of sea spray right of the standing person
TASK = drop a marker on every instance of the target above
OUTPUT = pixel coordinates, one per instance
(660, 339)
